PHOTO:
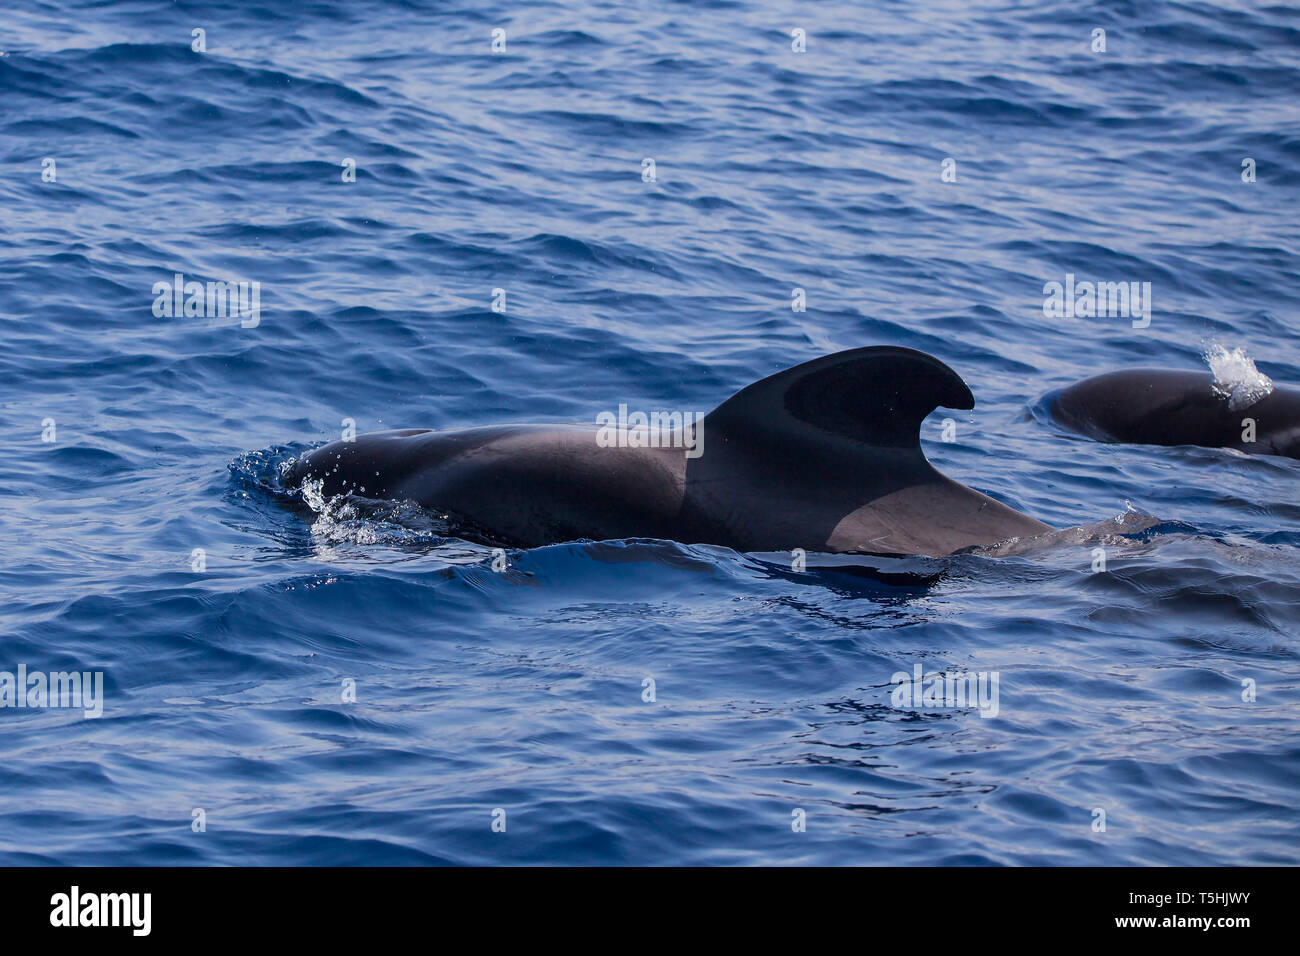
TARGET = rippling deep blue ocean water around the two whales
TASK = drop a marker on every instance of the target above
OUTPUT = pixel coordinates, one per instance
(146, 537)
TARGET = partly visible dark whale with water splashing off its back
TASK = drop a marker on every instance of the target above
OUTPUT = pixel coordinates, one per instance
(1156, 406)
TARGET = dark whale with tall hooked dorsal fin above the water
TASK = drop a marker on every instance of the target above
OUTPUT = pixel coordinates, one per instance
(824, 457)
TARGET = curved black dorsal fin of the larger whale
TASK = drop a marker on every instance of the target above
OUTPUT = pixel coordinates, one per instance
(879, 396)
